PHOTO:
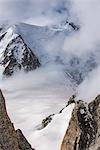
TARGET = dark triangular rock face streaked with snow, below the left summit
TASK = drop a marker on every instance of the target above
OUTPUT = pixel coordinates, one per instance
(18, 56)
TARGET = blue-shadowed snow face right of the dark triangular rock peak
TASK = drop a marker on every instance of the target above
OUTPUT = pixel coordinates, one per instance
(44, 41)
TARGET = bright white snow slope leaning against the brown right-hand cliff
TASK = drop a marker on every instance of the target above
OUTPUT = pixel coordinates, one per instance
(50, 138)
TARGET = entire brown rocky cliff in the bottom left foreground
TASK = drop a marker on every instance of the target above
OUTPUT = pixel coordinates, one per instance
(9, 138)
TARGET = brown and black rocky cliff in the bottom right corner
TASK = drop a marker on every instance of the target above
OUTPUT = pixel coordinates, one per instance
(83, 132)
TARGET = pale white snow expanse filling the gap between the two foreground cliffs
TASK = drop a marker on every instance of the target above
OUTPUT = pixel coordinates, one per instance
(29, 103)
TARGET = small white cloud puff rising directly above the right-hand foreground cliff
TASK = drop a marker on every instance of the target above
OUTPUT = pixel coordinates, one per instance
(90, 87)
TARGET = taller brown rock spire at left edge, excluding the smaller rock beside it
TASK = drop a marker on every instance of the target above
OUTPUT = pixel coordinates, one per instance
(8, 137)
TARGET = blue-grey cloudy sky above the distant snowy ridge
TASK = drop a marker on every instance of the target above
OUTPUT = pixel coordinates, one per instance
(34, 11)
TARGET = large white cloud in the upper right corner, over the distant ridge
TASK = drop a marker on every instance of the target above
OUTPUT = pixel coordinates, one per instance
(88, 37)
